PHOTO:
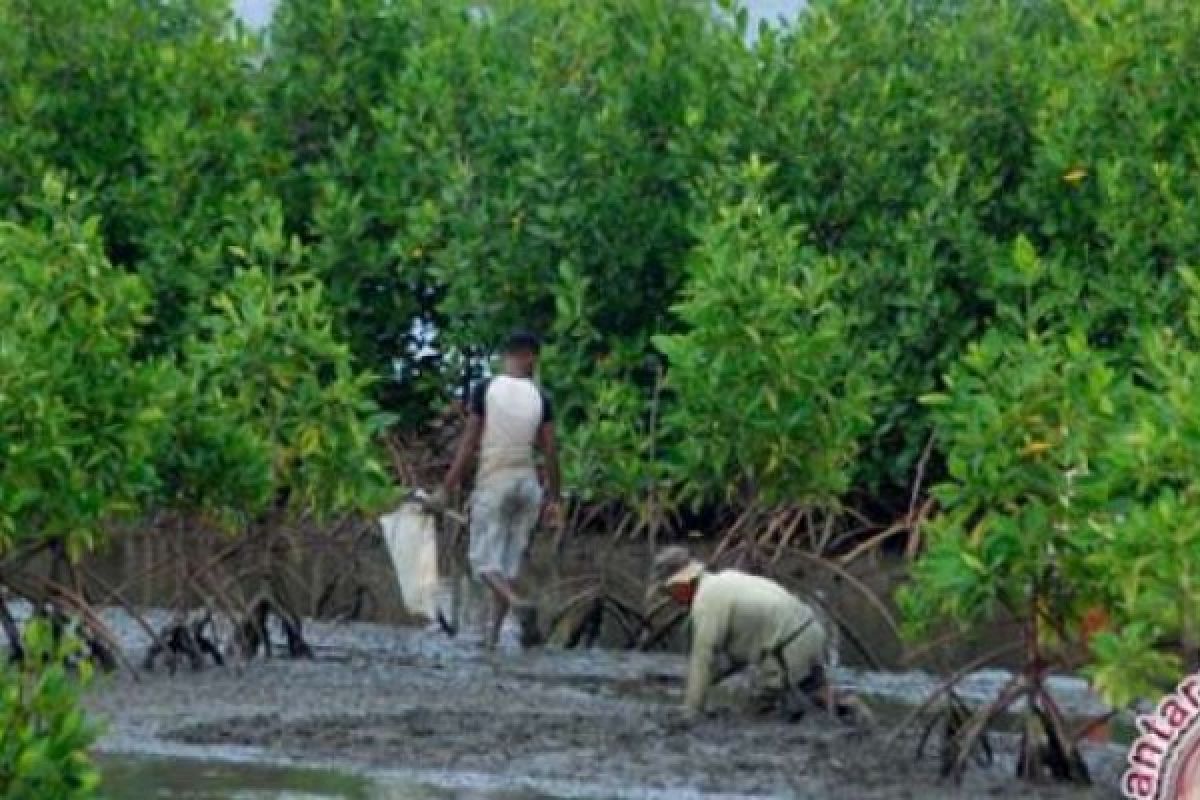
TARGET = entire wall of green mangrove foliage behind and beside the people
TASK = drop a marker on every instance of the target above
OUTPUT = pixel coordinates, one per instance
(230, 238)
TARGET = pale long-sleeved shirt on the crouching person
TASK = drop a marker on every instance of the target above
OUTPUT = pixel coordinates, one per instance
(749, 619)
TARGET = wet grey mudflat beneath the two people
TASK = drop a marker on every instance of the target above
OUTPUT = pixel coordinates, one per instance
(554, 724)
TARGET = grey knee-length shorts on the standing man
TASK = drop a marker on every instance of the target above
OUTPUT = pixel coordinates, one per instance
(503, 514)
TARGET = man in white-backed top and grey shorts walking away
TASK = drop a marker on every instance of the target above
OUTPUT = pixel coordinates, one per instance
(511, 418)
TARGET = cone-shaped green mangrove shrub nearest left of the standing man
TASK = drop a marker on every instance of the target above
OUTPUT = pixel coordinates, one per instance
(273, 408)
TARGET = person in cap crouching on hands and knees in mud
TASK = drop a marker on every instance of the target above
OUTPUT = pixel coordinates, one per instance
(752, 622)
